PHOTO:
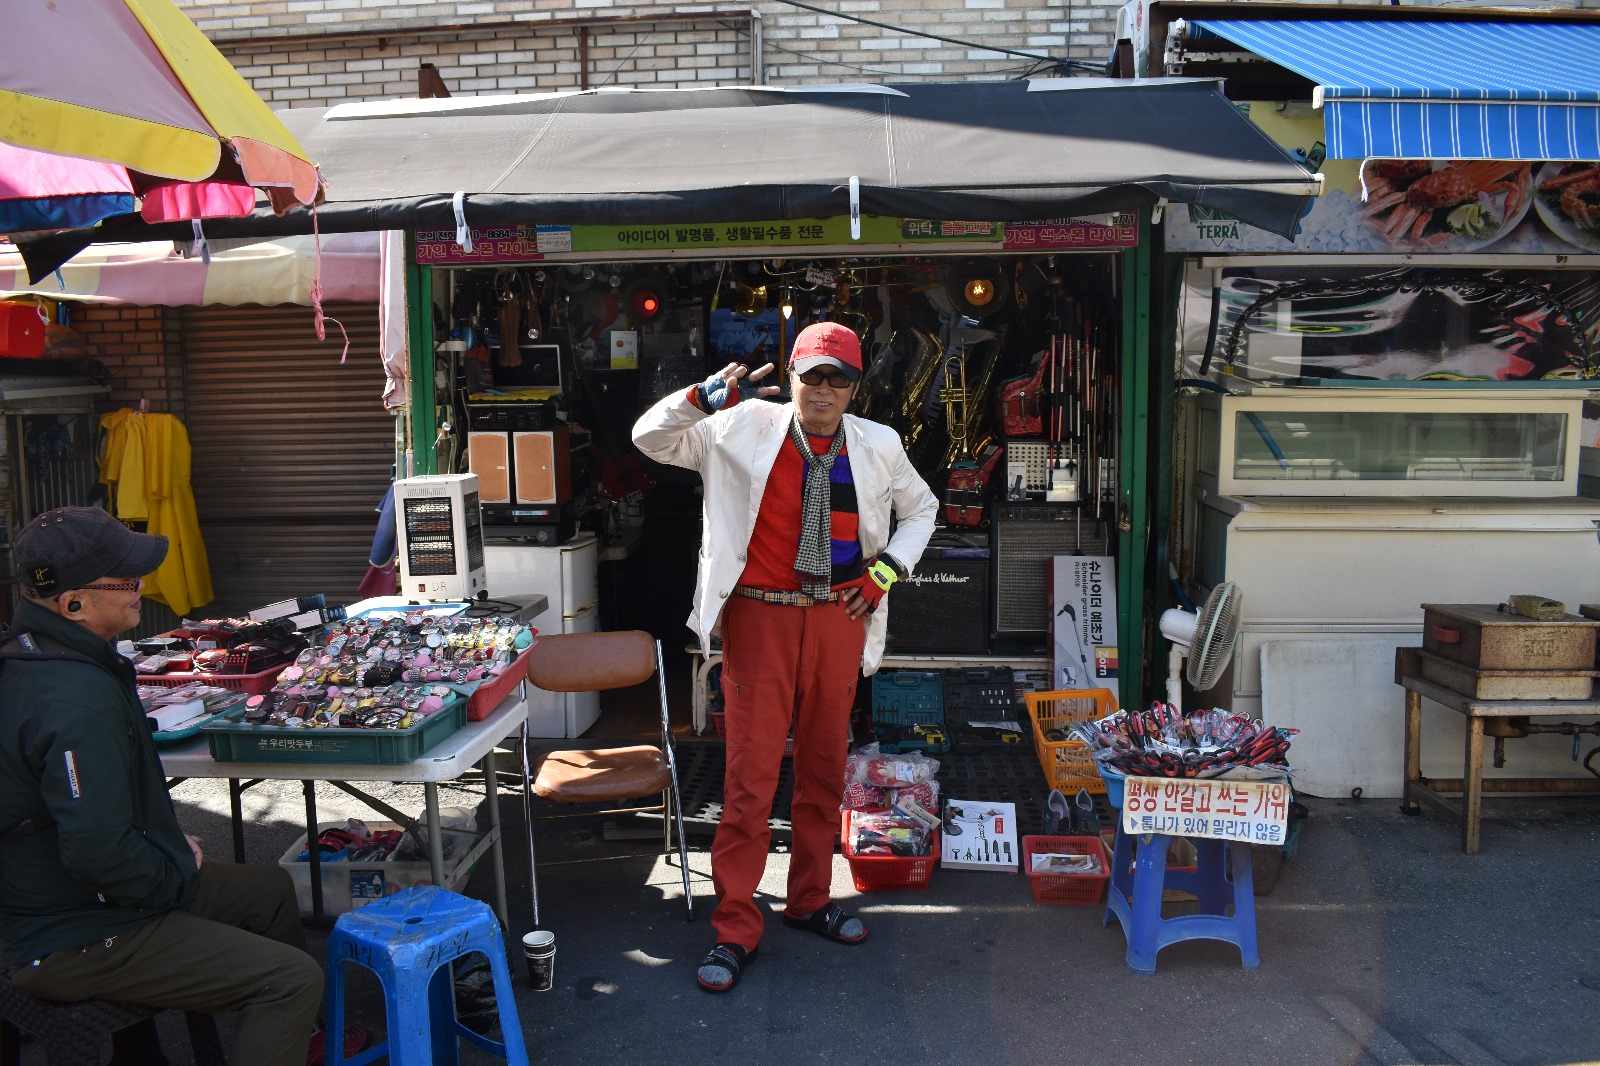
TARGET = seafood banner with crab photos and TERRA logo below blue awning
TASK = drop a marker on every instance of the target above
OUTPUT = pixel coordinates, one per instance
(1410, 206)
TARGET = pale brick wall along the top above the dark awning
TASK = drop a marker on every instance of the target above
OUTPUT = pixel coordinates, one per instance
(302, 54)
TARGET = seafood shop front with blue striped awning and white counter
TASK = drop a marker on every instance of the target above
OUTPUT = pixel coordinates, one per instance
(1394, 406)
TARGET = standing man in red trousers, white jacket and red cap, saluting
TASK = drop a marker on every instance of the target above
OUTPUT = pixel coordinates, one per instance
(796, 564)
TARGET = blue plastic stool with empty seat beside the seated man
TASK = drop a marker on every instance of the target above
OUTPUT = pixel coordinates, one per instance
(410, 940)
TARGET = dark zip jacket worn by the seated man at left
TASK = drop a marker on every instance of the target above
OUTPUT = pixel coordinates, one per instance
(89, 840)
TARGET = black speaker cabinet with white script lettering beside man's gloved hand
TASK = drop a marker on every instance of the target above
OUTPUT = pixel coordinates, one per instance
(943, 609)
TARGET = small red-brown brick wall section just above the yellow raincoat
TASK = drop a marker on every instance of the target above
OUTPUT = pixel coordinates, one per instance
(138, 347)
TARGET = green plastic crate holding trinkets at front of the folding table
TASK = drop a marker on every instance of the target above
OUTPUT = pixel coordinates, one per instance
(236, 742)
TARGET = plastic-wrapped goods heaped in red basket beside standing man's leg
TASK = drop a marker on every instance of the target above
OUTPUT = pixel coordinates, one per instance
(892, 803)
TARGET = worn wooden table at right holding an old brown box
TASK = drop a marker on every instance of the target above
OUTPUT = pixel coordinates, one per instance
(1471, 783)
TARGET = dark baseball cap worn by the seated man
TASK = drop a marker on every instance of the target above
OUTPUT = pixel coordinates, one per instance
(70, 548)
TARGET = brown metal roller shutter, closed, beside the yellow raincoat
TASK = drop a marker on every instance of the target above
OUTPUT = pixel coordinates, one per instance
(292, 451)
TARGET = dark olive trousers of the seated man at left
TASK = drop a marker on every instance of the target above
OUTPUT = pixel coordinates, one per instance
(239, 947)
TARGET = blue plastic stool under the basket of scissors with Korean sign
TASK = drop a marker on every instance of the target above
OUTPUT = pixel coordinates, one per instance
(1135, 899)
